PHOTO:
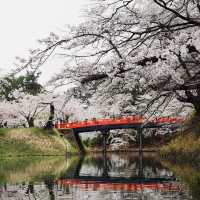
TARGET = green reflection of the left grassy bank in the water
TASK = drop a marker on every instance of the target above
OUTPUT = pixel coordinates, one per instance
(27, 169)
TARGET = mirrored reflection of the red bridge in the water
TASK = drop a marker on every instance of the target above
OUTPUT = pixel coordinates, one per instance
(136, 174)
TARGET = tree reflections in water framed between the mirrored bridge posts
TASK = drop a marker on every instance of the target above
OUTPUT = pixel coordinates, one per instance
(123, 165)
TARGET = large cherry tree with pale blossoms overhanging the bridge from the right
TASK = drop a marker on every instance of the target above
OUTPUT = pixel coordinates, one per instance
(147, 50)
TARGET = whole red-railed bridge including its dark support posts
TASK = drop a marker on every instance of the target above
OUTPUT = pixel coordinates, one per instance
(105, 125)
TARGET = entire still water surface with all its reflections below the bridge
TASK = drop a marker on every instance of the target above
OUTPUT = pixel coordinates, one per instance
(118, 177)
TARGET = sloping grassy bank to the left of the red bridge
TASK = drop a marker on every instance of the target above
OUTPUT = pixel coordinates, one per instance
(30, 142)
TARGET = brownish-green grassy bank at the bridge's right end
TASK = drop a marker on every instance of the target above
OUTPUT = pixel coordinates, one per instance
(186, 145)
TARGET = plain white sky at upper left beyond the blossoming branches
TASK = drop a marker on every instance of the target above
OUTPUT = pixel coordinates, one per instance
(22, 22)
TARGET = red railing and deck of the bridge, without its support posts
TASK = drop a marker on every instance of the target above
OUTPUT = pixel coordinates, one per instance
(119, 123)
